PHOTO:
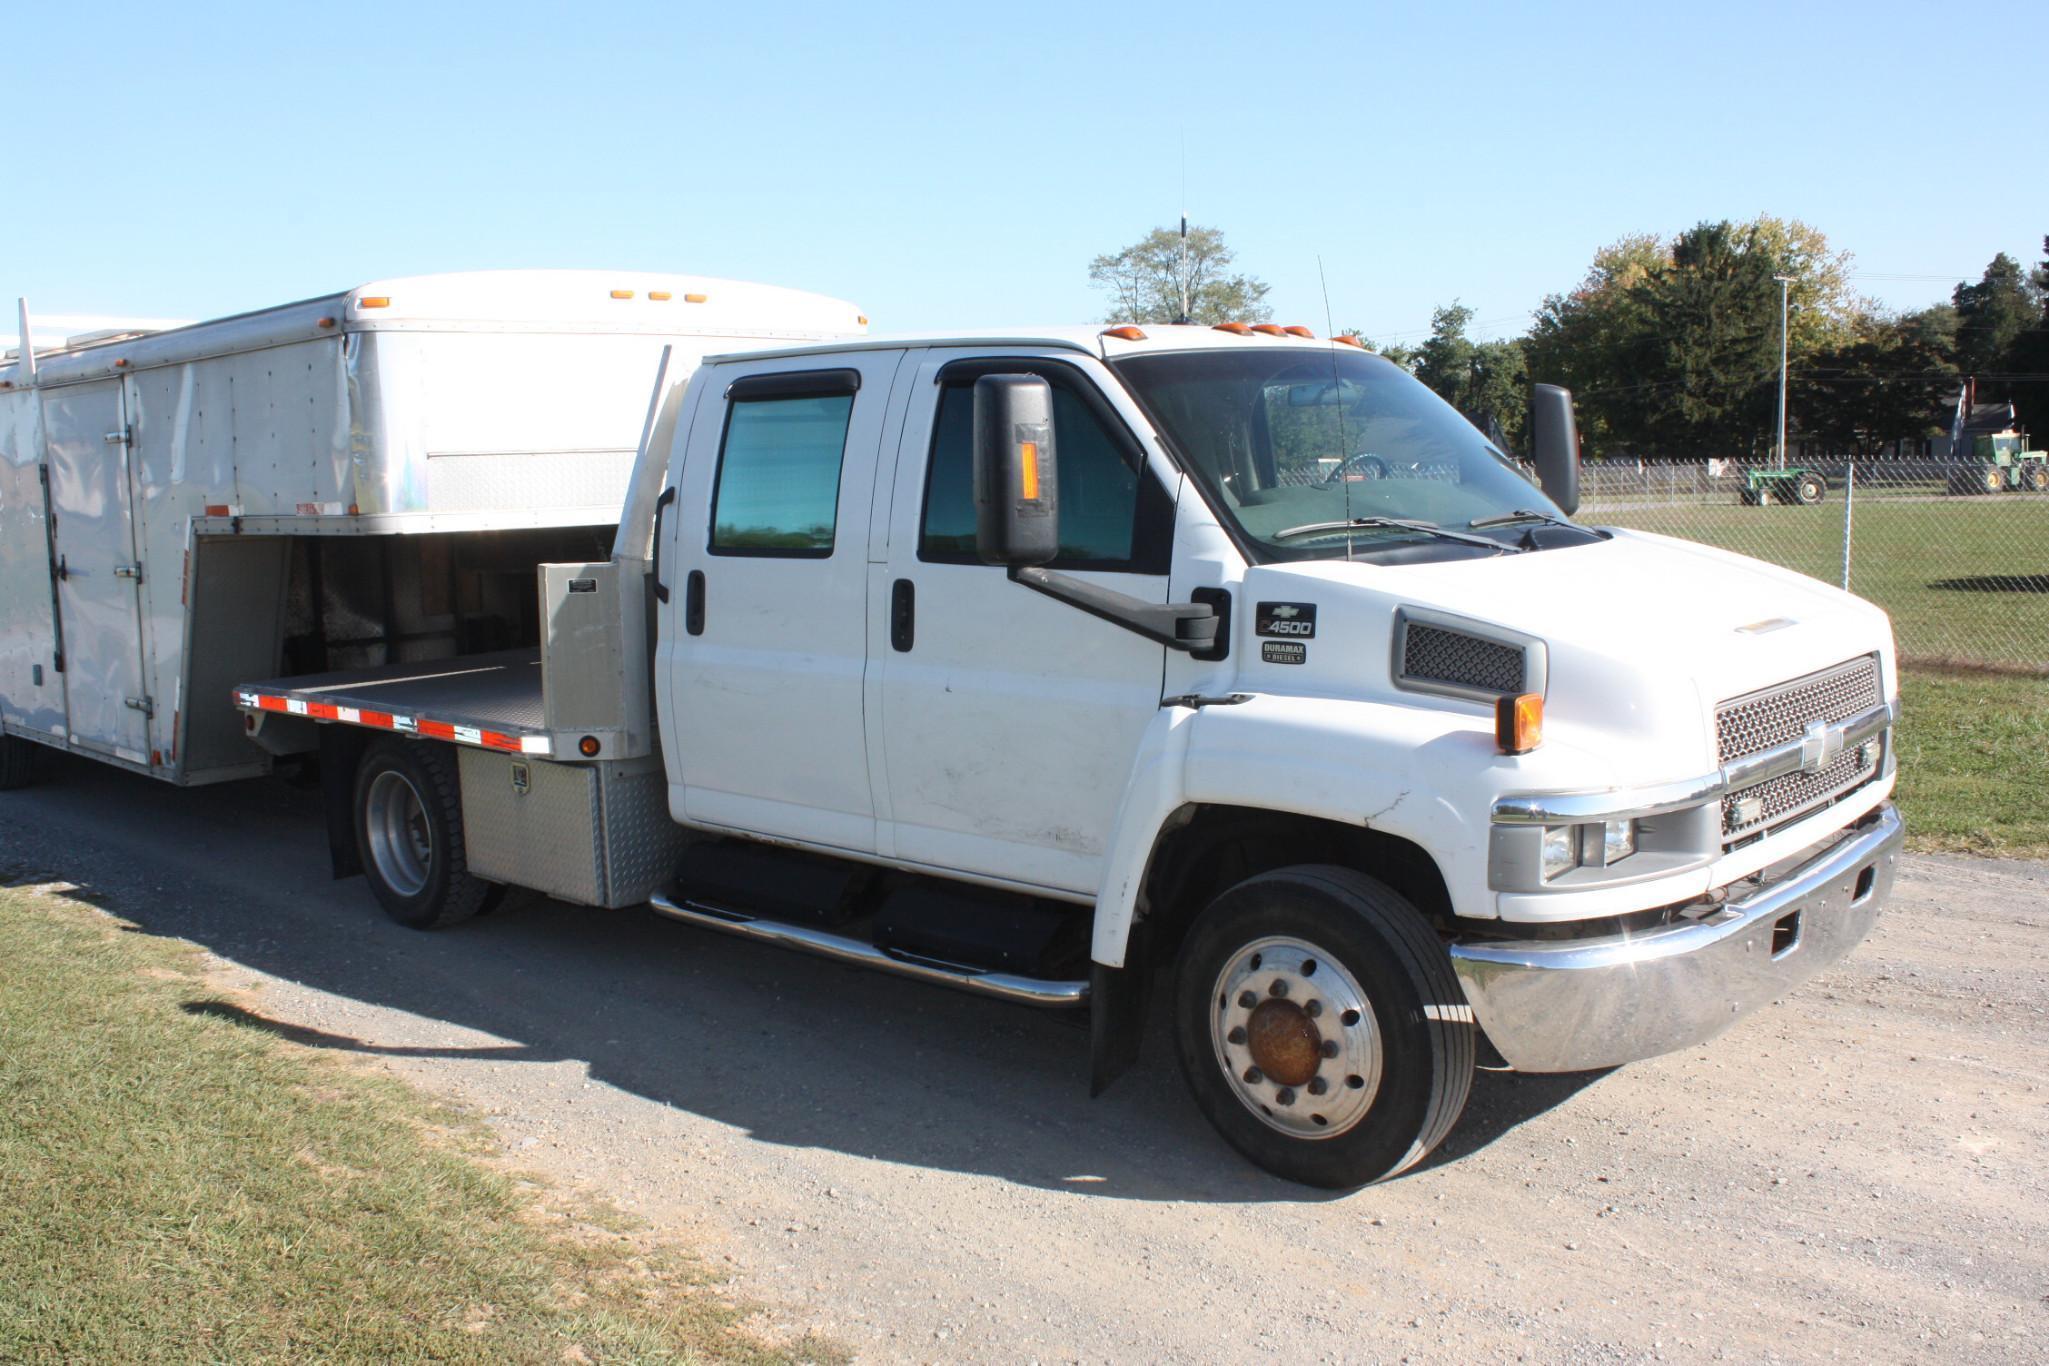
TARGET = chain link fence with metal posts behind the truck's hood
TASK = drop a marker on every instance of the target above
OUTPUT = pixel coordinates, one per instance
(1958, 552)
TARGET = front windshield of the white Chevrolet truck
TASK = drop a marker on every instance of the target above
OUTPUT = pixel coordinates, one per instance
(1298, 447)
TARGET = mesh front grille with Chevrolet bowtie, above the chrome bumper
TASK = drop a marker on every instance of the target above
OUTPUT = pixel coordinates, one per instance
(1782, 716)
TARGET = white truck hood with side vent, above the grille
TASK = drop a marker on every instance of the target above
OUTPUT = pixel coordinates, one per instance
(1644, 636)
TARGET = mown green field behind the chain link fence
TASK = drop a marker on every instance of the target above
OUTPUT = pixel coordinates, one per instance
(1964, 579)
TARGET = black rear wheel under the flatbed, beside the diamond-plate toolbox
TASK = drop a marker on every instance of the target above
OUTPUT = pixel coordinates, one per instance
(411, 835)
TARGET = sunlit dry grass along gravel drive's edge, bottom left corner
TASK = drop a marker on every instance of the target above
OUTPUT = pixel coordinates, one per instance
(181, 1185)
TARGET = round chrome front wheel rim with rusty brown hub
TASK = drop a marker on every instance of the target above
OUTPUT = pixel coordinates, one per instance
(1296, 1037)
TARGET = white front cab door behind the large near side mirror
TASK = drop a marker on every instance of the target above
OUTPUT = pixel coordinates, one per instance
(1009, 722)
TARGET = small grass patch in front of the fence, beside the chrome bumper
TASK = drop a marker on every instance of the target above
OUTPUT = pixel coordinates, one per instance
(1974, 763)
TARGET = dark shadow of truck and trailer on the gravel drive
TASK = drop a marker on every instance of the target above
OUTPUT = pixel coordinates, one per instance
(796, 1052)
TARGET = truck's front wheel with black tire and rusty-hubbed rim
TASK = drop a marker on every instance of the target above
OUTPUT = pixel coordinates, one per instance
(1419, 1043)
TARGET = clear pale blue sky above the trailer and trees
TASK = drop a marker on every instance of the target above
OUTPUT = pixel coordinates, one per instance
(960, 165)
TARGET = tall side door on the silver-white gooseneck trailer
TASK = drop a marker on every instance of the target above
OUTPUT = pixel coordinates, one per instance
(99, 607)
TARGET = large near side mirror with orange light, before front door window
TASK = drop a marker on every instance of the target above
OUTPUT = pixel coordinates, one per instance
(1017, 478)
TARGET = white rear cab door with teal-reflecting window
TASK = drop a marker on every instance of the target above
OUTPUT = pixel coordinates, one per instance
(765, 642)
